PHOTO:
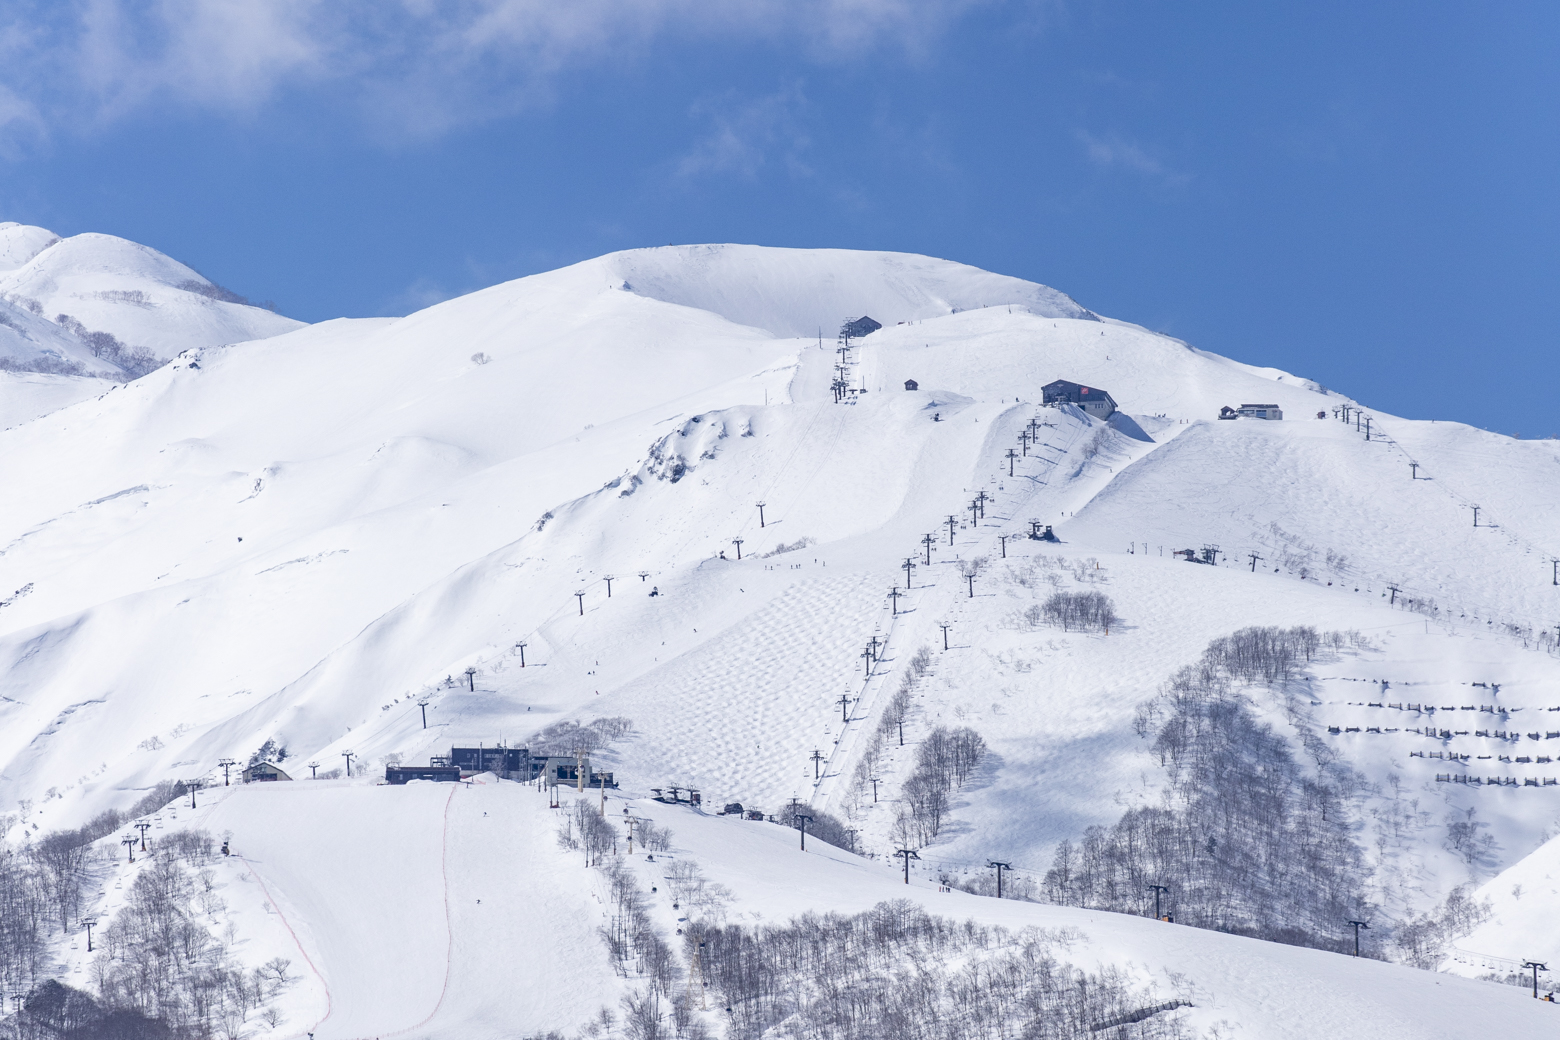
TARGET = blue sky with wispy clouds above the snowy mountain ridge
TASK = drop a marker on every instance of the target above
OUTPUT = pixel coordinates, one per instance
(1361, 194)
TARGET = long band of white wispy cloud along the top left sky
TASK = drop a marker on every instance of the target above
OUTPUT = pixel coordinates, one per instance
(409, 66)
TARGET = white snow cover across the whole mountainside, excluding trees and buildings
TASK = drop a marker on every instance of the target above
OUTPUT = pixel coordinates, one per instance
(302, 537)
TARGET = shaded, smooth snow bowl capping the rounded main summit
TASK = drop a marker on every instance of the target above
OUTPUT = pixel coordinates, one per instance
(806, 292)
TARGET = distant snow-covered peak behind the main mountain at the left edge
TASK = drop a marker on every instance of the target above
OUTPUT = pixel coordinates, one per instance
(105, 285)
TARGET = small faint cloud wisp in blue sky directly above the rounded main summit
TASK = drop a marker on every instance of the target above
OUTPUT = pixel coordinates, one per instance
(748, 135)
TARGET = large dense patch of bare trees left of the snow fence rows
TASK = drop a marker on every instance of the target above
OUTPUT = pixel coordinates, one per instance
(1246, 840)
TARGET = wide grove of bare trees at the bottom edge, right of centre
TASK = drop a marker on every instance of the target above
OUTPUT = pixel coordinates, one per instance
(898, 972)
